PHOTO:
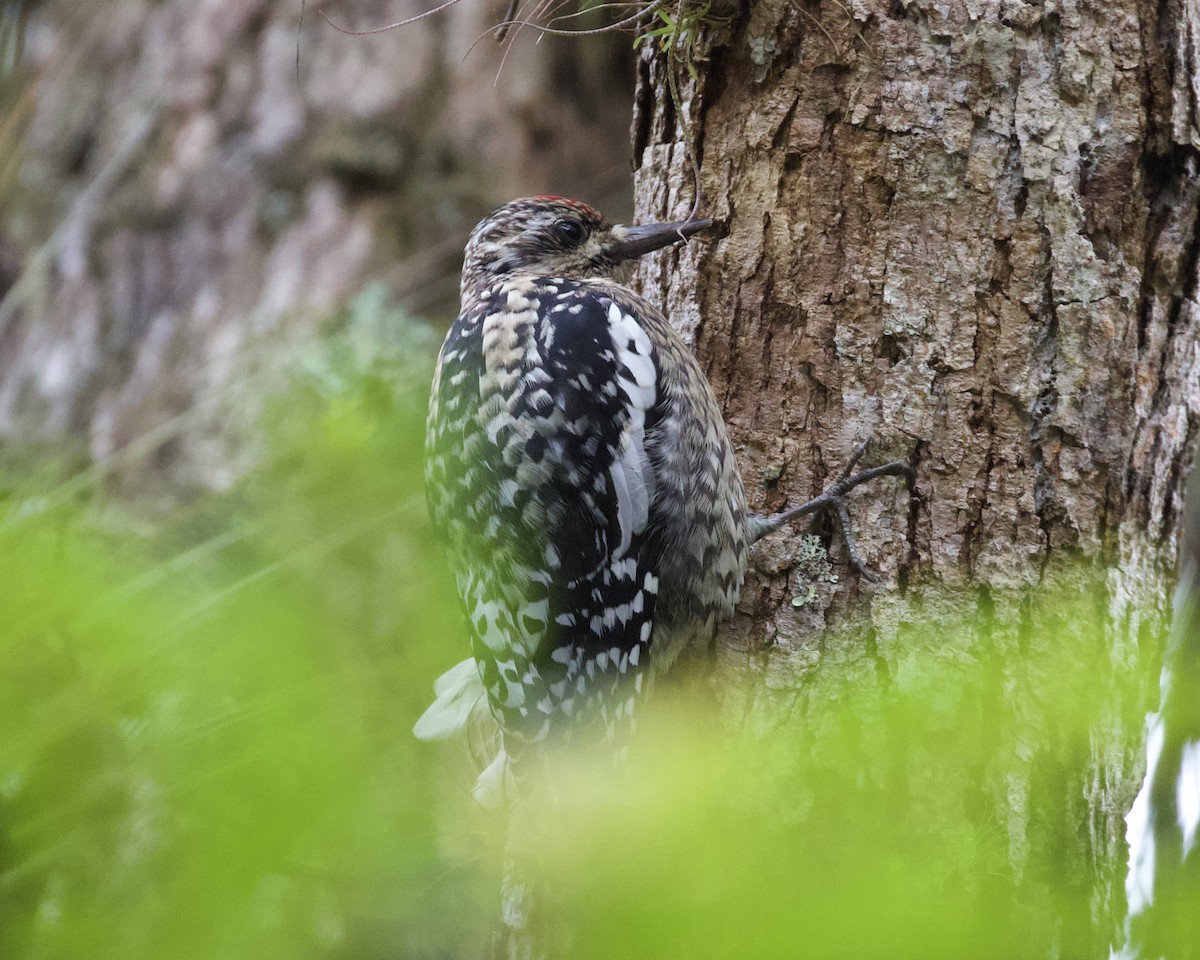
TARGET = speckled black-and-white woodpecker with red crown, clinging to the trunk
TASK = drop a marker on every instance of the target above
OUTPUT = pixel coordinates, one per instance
(579, 471)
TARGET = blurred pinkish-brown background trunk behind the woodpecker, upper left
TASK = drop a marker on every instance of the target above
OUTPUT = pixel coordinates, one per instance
(201, 187)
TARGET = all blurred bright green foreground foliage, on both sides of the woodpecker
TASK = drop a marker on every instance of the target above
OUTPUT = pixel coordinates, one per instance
(206, 748)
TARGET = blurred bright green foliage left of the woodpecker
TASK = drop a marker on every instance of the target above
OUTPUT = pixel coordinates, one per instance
(205, 745)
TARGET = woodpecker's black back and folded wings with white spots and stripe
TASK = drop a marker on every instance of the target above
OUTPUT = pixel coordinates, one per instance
(559, 554)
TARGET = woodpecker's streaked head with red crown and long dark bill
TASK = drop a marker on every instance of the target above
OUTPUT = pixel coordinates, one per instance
(556, 237)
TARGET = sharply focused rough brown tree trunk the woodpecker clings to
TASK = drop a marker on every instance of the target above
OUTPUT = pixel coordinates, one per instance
(968, 231)
